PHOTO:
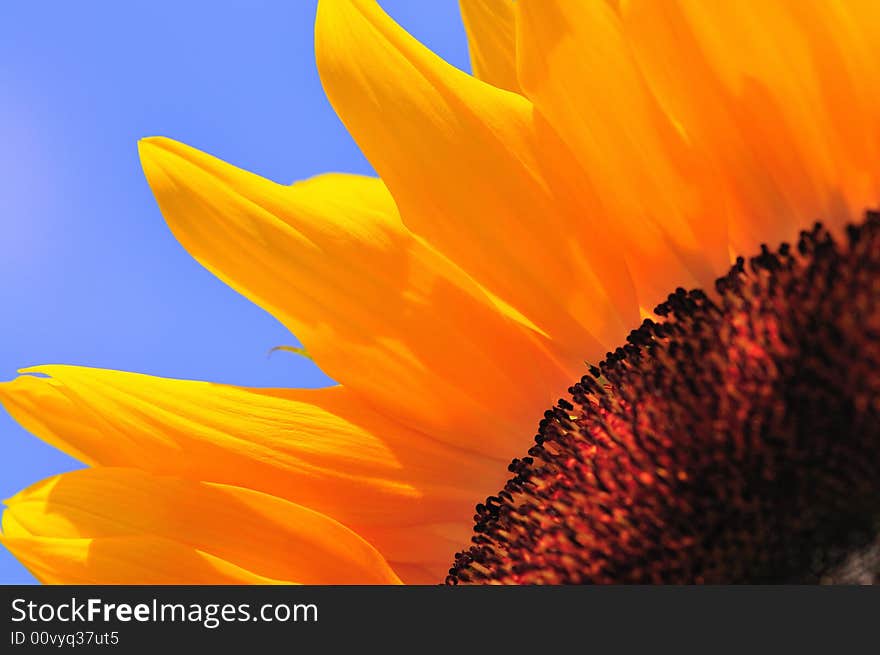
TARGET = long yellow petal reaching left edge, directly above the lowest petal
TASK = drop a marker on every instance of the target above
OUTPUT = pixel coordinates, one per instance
(321, 448)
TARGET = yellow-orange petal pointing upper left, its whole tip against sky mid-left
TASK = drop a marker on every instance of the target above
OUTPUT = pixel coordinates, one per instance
(377, 309)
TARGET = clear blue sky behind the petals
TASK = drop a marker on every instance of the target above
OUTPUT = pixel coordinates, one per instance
(89, 273)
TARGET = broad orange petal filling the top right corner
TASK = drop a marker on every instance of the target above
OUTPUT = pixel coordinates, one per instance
(782, 98)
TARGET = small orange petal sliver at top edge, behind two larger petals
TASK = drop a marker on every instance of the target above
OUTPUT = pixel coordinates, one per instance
(491, 31)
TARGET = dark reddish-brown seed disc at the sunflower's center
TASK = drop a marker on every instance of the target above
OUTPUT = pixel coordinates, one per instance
(735, 441)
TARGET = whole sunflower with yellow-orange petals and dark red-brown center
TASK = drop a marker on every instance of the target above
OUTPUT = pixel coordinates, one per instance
(525, 220)
